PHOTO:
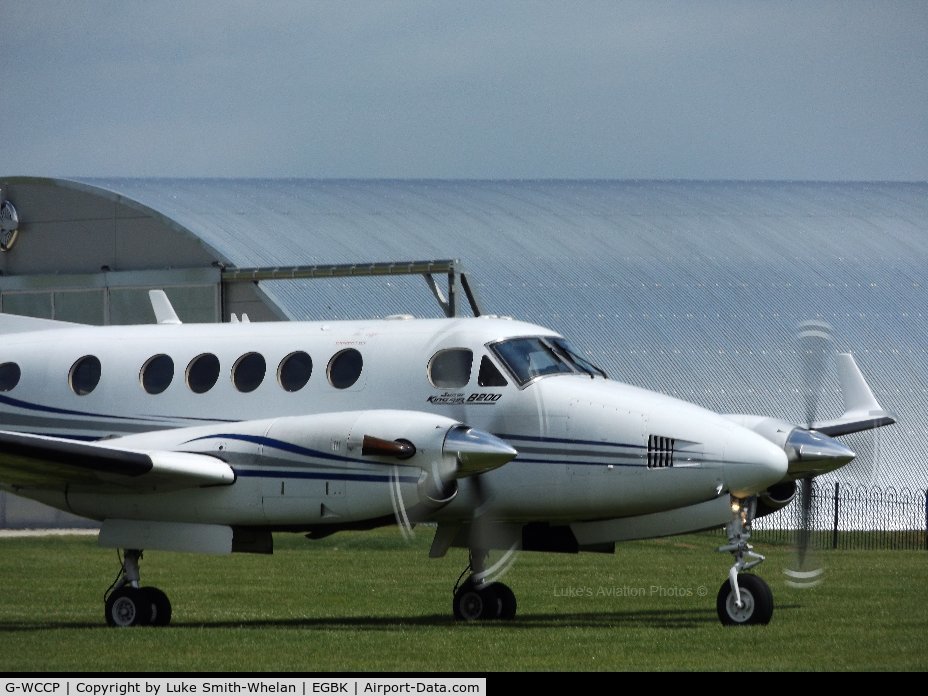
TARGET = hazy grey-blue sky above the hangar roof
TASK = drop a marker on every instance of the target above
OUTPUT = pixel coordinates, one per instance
(508, 89)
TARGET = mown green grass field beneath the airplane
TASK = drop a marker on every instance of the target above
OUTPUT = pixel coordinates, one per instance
(368, 602)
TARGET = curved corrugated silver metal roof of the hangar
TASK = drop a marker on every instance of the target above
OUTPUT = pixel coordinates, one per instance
(695, 289)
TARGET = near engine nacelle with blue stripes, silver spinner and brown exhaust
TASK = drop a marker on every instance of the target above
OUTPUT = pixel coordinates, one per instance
(420, 455)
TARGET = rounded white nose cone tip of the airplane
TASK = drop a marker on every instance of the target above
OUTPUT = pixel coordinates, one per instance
(752, 463)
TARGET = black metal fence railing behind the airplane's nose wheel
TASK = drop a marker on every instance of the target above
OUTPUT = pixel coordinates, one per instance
(847, 516)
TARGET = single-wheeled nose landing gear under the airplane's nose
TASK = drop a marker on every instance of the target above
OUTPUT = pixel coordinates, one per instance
(744, 598)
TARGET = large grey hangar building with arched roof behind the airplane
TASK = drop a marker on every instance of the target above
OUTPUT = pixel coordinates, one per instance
(695, 289)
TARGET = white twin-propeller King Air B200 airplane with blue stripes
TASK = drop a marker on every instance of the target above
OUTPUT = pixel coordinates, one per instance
(209, 437)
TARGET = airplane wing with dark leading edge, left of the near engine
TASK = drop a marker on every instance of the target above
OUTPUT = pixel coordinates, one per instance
(37, 461)
